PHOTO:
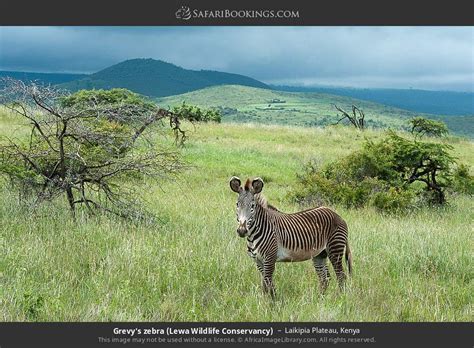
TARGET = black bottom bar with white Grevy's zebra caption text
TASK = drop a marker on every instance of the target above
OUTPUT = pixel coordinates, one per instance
(211, 334)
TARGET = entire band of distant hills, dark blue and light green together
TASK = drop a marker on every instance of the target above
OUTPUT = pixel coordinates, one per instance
(242, 98)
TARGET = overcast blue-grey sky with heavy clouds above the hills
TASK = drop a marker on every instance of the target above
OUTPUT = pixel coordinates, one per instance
(440, 58)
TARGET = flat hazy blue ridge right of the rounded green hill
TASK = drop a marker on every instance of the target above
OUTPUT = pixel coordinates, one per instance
(431, 102)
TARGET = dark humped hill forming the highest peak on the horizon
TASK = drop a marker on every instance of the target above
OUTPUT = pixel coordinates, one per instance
(157, 78)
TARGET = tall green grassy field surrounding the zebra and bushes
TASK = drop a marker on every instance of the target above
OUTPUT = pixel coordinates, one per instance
(191, 265)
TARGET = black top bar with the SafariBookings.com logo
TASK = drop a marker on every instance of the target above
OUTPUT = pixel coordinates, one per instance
(242, 12)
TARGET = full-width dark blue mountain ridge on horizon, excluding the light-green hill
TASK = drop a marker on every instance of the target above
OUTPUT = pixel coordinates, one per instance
(157, 79)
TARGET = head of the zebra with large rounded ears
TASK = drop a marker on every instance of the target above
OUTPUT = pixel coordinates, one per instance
(246, 202)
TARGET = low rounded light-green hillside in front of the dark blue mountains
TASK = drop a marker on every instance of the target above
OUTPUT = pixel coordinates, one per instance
(247, 104)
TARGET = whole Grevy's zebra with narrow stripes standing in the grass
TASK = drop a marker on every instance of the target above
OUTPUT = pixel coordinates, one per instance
(274, 236)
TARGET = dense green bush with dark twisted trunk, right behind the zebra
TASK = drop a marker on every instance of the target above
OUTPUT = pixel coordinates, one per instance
(391, 175)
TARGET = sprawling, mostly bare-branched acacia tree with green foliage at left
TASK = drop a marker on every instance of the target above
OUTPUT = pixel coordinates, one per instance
(89, 146)
